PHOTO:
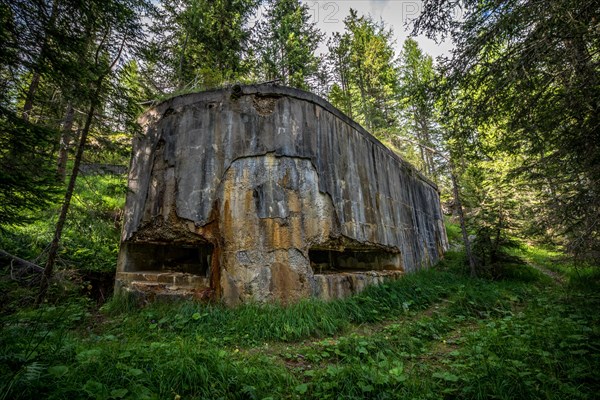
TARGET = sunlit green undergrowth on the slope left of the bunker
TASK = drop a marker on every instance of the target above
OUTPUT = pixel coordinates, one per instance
(87, 255)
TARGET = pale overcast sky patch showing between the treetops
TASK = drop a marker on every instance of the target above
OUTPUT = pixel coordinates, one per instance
(330, 15)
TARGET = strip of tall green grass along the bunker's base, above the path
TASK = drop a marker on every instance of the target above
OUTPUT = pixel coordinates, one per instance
(253, 324)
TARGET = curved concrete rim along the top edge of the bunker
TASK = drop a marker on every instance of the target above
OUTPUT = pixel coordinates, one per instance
(160, 109)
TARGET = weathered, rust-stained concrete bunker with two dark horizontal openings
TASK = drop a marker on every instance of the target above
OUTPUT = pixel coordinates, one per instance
(281, 194)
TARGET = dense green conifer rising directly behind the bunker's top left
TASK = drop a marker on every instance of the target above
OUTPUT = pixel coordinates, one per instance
(199, 44)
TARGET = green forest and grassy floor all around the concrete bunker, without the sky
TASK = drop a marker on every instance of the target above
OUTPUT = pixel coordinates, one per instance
(507, 126)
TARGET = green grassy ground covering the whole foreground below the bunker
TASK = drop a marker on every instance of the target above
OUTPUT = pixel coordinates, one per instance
(434, 334)
